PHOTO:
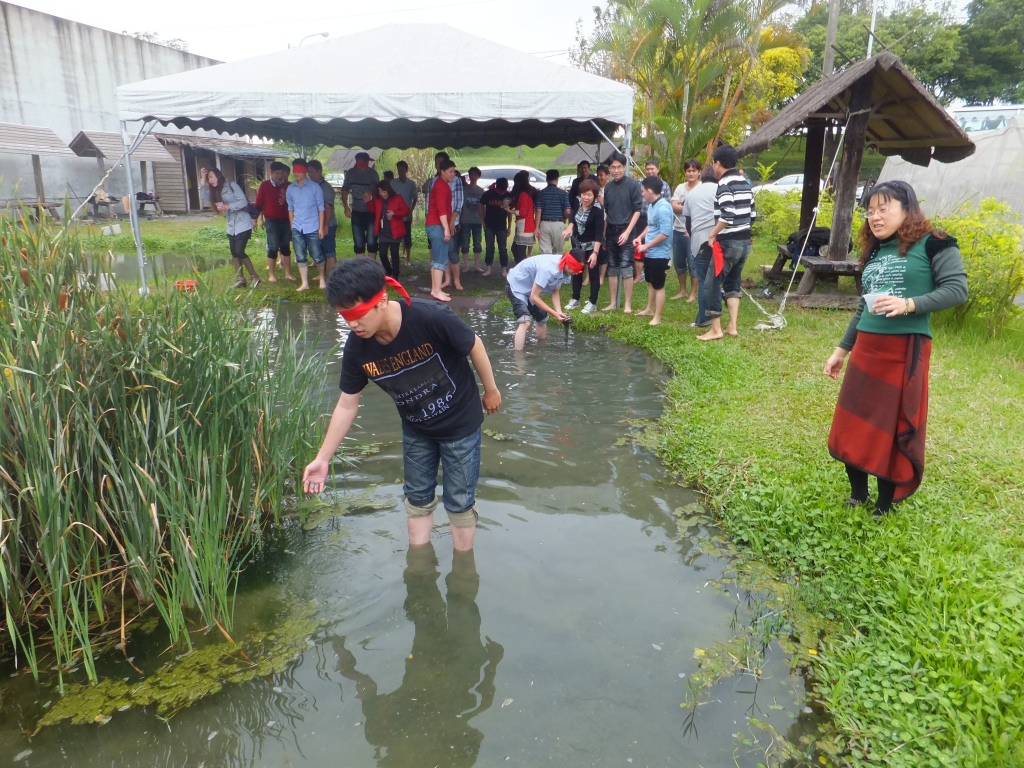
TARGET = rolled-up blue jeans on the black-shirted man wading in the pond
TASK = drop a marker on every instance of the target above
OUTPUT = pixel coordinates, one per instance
(460, 464)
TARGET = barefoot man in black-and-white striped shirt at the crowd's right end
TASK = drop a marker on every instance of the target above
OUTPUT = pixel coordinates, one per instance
(734, 216)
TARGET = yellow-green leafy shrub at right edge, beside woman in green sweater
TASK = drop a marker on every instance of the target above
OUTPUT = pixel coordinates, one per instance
(992, 241)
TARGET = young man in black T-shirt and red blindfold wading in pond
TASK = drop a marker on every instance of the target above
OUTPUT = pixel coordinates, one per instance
(423, 356)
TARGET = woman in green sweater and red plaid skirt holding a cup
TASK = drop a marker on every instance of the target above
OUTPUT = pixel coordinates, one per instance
(910, 272)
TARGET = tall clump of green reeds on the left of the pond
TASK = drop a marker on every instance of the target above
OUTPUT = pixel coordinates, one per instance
(144, 443)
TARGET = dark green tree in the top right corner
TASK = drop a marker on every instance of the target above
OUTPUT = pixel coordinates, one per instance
(992, 53)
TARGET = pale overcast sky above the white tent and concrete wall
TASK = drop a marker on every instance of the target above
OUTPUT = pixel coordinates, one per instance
(230, 31)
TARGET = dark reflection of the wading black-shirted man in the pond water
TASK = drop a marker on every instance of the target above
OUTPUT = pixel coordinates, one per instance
(450, 673)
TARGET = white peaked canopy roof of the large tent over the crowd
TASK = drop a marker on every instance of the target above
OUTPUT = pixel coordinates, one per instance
(436, 87)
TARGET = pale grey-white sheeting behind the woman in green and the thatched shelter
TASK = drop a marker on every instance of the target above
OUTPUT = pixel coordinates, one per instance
(996, 170)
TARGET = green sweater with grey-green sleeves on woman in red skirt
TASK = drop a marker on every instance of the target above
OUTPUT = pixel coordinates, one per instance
(931, 274)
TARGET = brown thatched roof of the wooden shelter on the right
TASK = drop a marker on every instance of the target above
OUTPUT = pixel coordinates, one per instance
(906, 118)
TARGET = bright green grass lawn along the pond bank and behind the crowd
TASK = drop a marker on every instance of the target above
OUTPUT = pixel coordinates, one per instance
(915, 645)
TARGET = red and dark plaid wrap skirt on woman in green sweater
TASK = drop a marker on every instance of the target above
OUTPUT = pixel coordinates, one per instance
(882, 412)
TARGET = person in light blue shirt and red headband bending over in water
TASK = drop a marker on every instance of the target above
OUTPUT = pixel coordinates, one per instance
(531, 280)
